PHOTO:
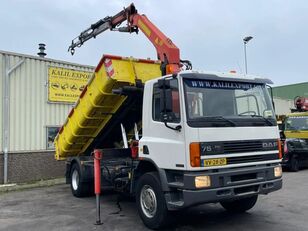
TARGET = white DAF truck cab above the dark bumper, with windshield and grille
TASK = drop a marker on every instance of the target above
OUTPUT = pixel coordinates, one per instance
(212, 111)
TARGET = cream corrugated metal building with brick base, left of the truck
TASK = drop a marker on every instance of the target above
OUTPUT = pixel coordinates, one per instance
(27, 117)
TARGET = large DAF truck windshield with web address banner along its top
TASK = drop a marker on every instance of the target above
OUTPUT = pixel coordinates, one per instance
(224, 103)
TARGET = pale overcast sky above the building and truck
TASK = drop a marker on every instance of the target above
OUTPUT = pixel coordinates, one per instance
(208, 32)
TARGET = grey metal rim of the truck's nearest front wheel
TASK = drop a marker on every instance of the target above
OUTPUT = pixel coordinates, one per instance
(148, 201)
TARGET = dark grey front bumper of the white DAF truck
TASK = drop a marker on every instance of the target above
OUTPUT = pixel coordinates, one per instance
(229, 184)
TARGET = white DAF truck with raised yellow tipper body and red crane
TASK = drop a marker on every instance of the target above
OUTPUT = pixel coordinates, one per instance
(171, 138)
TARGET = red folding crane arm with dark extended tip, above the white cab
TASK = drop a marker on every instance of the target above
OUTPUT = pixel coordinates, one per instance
(167, 52)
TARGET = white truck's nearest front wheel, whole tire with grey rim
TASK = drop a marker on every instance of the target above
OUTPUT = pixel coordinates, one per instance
(151, 202)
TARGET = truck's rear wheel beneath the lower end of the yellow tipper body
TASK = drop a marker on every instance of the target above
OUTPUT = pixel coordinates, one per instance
(79, 189)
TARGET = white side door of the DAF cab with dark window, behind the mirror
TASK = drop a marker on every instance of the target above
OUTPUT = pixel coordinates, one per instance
(160, 143)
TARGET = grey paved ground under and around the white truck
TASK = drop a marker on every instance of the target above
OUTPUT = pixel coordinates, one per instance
(53, 208)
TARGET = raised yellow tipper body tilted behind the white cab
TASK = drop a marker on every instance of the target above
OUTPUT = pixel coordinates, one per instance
(97, 104)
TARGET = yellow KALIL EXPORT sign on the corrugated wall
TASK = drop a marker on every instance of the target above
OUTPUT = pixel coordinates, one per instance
(65, 85)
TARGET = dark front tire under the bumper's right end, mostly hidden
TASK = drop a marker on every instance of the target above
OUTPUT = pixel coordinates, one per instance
(241, 205)
